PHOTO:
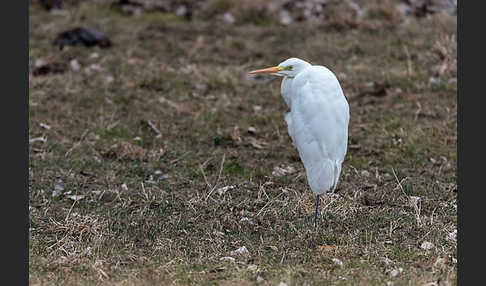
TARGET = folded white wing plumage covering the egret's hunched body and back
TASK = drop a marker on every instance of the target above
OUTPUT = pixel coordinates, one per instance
(320, 117)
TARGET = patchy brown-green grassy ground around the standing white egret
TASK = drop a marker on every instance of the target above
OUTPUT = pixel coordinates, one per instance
(112, 202)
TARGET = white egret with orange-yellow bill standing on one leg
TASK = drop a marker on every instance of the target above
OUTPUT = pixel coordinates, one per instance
(318, 120)
